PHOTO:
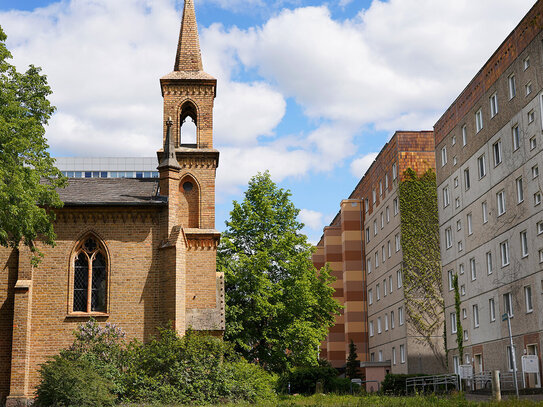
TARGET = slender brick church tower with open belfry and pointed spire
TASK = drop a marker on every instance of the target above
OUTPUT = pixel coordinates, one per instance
(193, 295)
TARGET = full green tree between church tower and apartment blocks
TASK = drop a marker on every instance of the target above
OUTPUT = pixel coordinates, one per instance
(278, 307)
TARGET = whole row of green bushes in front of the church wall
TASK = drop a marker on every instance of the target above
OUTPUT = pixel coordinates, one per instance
(100, 369)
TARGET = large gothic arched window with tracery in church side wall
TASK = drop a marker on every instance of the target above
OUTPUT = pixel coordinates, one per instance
(90, 277)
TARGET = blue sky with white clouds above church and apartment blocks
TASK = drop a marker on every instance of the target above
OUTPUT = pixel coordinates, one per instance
(309, 89)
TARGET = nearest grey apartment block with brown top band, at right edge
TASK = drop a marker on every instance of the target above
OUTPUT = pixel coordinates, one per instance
(488, 153)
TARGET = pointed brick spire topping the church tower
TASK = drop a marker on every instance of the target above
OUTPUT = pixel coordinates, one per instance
(188, 56)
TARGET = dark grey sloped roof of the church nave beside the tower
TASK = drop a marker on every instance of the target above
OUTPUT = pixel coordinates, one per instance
(111, 191)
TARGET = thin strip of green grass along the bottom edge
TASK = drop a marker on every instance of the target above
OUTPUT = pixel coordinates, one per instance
(380, 401)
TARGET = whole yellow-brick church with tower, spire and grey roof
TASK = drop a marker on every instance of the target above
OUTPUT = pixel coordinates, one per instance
(139, 253)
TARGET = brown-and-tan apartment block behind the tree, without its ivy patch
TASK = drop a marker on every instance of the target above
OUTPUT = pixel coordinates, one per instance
(362, 246)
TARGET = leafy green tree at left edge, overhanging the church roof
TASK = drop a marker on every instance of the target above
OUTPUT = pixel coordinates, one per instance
(28, 177)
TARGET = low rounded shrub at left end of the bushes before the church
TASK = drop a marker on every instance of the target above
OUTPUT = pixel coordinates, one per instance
(73, 382)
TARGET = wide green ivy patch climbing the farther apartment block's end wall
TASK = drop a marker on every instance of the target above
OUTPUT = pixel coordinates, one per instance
(422, 257)
